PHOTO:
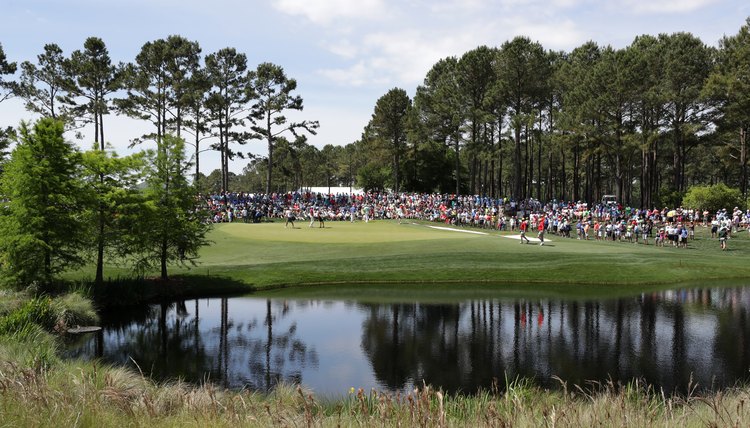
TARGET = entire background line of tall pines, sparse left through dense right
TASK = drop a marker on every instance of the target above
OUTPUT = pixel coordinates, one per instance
(644, 122)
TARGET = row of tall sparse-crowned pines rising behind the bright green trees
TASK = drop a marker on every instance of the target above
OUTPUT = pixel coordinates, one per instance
(214, 102)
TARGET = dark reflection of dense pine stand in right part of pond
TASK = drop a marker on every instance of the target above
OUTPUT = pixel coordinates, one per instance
(668, 340)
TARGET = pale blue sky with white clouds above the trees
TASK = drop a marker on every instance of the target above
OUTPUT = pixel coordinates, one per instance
(344, 54)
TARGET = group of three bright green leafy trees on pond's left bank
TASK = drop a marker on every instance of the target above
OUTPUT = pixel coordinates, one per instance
(63, 209)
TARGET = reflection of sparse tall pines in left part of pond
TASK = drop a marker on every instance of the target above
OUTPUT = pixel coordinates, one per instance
(168, 341)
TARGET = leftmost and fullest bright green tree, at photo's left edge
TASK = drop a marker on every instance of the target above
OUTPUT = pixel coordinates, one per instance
(42, 224)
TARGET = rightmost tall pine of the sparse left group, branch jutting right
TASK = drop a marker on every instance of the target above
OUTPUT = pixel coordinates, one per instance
(272, 91)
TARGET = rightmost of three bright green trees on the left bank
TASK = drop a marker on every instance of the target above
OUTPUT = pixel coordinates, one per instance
(171, 226)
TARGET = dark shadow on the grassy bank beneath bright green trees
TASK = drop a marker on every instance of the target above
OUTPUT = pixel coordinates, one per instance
(137, 291)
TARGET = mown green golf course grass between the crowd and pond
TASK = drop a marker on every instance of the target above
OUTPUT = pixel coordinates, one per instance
(268, 255)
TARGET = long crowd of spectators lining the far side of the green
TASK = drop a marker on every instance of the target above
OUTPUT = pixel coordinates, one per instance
(600, 221)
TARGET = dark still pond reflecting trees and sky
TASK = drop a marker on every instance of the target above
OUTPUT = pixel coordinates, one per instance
(673, 340)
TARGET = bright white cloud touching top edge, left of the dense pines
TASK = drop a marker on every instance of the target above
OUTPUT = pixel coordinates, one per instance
(324, 12)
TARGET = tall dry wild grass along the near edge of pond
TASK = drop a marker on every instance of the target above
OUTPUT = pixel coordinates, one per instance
(87, 394)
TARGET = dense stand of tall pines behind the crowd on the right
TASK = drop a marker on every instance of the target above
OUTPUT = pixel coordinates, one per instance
(644, 122)
